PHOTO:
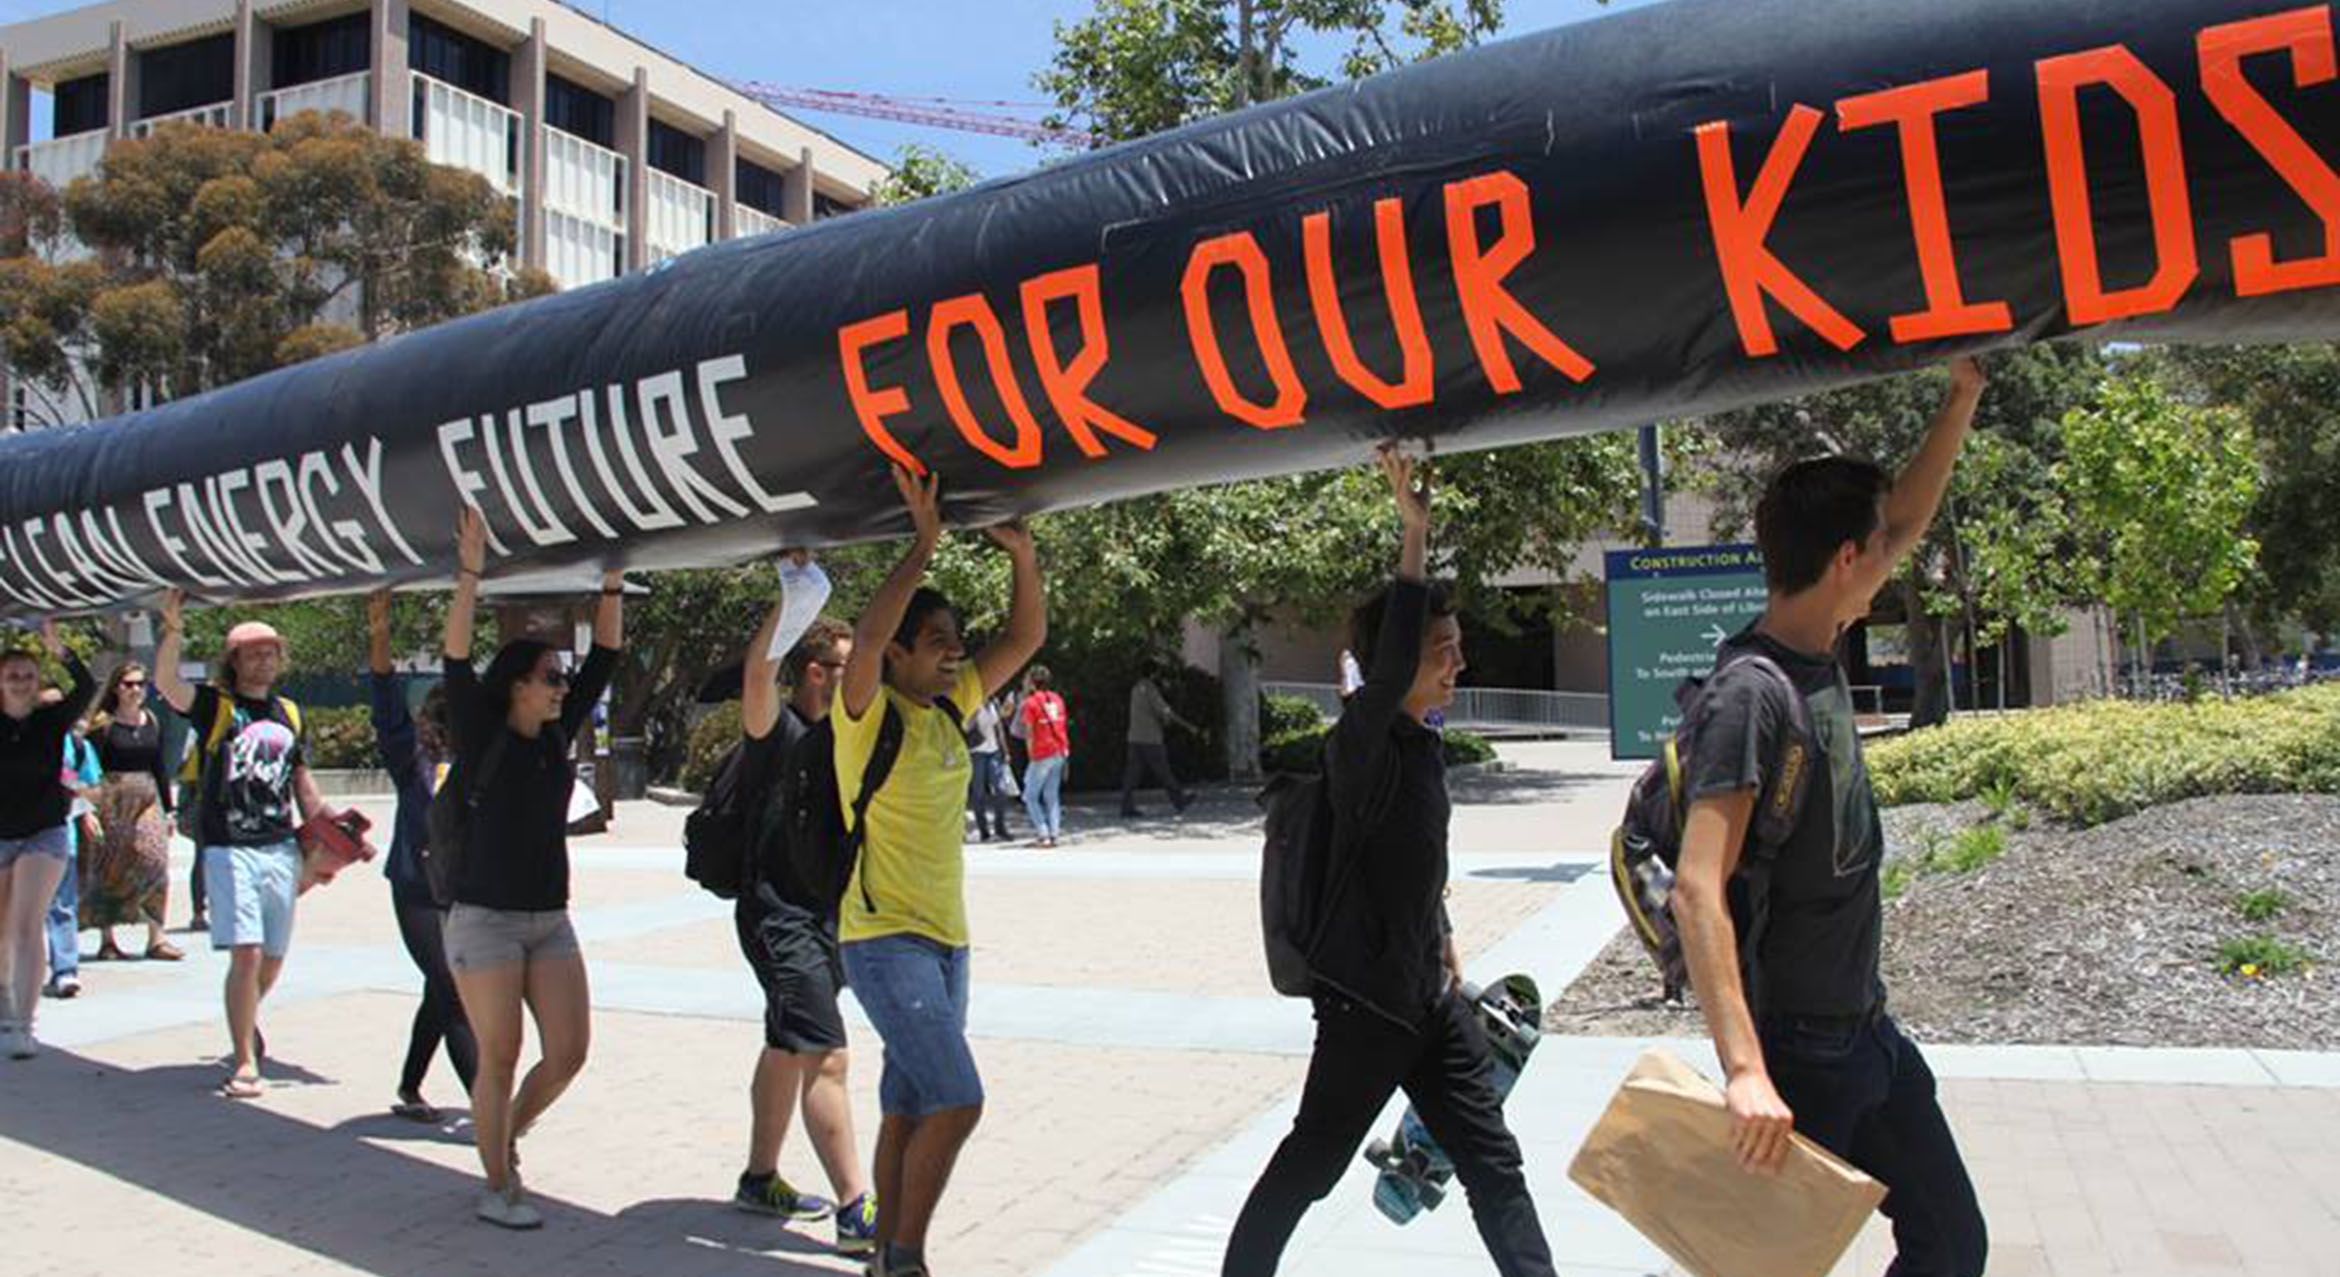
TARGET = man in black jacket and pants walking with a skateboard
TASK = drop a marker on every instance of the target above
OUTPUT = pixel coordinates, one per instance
(1389, 1002)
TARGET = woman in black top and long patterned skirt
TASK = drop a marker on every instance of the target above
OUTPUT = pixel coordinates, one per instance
(128, 869)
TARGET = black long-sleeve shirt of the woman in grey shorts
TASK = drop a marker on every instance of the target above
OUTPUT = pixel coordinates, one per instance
(516, 855)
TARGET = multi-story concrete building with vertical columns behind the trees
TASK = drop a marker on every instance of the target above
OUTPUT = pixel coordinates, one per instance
(614, 153)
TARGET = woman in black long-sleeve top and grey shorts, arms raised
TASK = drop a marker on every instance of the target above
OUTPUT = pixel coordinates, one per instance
(509, 937)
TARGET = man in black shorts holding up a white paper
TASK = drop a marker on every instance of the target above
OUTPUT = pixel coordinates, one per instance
(790, 939)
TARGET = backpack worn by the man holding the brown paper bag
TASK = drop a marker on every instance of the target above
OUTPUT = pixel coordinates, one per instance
(1649, 845)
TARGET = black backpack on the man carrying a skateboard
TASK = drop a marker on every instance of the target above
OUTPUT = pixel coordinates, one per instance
(1300, 876)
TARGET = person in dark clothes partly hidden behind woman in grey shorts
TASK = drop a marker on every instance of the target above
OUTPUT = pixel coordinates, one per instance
(413, 754)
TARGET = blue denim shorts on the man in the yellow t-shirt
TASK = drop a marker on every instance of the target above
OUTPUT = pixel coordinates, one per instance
(916, 995)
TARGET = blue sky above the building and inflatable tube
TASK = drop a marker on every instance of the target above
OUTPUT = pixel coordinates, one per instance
(979, 50)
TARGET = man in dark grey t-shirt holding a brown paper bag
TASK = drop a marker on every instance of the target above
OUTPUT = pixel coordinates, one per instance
(1782, 937)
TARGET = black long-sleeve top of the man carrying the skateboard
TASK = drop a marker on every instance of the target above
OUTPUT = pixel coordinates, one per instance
(1384, 941)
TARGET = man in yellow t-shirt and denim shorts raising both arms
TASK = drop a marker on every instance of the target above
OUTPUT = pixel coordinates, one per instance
(904, 916)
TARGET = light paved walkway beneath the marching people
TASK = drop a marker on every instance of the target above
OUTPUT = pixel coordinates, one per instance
(1138, 1079)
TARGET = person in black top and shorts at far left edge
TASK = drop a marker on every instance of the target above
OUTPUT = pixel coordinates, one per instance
(34, 848)
